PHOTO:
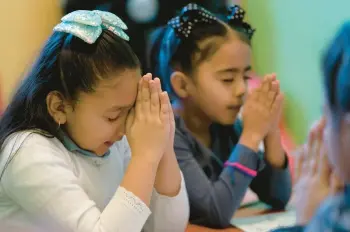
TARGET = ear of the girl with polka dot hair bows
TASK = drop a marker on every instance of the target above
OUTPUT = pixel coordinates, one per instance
(180, 84)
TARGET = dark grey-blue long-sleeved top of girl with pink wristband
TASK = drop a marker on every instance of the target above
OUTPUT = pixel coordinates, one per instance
(215, 191)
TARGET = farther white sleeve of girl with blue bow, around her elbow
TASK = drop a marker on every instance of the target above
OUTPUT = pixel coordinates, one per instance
(169, 214)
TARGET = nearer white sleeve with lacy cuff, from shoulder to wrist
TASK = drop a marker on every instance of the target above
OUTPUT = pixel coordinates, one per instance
(42, 182)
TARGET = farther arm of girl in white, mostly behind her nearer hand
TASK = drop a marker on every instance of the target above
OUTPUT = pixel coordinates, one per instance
(169, 201)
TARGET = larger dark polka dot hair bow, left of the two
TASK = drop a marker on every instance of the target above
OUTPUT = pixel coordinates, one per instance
(190, 15)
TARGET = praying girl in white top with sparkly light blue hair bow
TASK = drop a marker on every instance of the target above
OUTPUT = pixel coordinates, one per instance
(65, 162)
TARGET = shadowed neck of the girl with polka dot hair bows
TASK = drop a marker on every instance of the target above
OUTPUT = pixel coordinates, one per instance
(195, 120)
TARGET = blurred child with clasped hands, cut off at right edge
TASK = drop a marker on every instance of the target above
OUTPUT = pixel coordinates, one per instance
(324, 164)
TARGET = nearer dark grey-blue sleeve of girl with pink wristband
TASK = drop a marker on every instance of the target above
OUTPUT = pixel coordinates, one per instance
(213, 201)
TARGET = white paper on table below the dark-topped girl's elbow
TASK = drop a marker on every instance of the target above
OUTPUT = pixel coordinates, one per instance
(263, 223)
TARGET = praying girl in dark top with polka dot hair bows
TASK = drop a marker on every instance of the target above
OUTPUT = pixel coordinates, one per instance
(205, 63)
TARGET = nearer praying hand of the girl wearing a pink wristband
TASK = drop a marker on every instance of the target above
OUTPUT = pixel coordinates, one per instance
(260, 112)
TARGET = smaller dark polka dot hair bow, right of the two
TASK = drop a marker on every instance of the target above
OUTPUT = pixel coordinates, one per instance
(235, 18)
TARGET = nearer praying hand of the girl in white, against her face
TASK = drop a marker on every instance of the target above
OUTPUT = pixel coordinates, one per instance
(148, 124)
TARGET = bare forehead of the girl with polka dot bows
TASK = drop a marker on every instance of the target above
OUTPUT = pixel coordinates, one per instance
(232, 53)
